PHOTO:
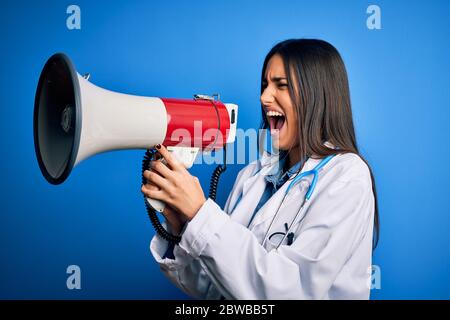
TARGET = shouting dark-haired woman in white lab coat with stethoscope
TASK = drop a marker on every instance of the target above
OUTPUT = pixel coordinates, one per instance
(249, 250)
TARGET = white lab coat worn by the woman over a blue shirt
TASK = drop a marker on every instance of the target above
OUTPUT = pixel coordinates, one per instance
(330, 257)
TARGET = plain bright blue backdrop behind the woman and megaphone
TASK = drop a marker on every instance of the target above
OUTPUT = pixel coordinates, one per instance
(399, 80)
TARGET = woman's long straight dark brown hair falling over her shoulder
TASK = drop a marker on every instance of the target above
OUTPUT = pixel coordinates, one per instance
(318, 86)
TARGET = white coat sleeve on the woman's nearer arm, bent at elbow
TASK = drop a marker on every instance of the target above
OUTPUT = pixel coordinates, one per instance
(241, 268)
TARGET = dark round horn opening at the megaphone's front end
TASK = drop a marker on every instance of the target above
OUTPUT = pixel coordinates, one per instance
(57, 118)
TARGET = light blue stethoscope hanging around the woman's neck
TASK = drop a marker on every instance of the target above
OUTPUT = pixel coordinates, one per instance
(290, 235)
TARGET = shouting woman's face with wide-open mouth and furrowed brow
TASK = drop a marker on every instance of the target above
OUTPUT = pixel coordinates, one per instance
(278, 105)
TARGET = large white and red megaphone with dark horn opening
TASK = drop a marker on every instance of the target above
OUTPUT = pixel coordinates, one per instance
(75, 119)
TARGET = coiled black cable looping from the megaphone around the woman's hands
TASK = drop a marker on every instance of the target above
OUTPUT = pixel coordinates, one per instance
(152, 213)
